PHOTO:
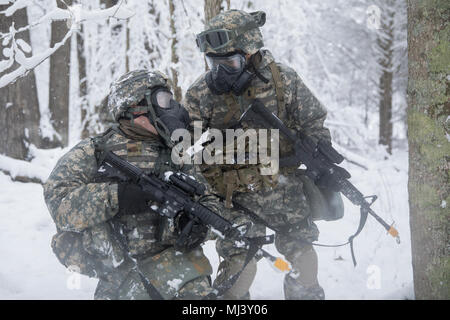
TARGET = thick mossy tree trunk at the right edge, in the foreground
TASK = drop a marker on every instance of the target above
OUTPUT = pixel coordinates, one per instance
(429, 150)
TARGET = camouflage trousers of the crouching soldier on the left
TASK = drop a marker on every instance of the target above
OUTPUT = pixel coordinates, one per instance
(173, 274)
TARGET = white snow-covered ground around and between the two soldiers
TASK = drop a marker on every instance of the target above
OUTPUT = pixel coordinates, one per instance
(29, 270)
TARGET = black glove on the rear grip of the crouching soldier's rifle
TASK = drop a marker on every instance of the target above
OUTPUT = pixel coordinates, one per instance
(132, 200)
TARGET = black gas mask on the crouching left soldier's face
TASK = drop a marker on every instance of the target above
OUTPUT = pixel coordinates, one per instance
(163, 112)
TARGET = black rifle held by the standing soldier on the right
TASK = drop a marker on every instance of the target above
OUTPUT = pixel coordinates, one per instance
(321, 161)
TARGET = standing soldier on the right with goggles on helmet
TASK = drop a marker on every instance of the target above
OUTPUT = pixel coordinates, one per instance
(241, 71)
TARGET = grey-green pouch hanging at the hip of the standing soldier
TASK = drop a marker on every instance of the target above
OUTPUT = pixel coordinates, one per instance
(325, 204)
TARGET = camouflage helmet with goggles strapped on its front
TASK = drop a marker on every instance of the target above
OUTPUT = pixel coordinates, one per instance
(233, 30)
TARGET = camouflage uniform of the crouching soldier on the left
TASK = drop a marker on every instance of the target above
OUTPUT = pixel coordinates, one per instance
(95, 240)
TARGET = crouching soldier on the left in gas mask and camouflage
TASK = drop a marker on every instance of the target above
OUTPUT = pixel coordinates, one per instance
(108, 228)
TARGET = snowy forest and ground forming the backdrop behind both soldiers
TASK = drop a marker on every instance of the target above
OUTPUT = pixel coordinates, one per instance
(351, 53)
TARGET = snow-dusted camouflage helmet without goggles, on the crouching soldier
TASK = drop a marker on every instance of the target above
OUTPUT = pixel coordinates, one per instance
(131, 88)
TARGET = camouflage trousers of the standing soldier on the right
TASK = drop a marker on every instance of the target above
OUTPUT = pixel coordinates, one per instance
(286, 209)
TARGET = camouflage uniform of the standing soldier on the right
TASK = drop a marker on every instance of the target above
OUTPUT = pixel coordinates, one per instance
(283, 204)
